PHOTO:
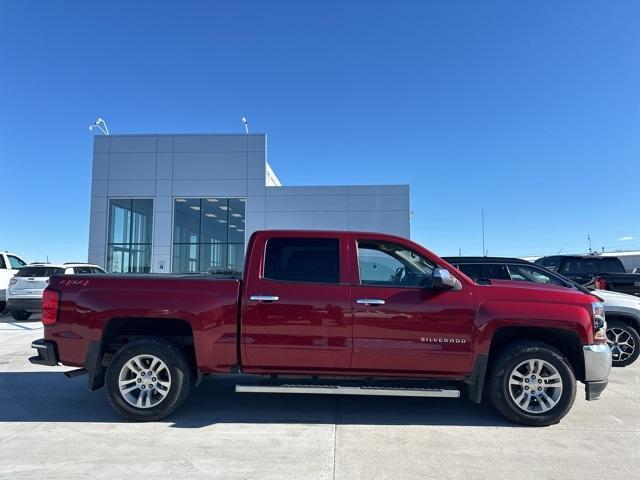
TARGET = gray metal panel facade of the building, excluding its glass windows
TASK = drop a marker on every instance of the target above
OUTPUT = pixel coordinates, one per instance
(163, 167)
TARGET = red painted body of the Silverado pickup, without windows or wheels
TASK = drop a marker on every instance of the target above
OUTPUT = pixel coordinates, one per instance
(318, 328)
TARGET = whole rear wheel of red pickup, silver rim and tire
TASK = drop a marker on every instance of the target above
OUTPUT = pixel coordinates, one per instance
(148, 380)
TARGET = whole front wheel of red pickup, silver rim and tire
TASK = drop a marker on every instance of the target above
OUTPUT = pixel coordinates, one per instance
(532, 383)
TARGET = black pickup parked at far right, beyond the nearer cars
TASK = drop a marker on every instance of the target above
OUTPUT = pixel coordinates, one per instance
(603, 273)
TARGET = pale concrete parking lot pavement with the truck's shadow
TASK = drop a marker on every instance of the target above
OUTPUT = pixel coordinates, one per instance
(52, 427)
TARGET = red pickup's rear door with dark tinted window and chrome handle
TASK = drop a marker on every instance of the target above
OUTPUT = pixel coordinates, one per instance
(296, 312)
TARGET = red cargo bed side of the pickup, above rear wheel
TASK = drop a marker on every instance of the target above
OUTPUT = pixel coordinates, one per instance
(90, 303)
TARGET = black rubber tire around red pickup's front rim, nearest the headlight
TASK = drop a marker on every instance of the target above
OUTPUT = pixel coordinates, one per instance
(499, 389)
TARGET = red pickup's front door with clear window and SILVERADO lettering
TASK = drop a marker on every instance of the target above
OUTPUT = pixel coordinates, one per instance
(399, 323)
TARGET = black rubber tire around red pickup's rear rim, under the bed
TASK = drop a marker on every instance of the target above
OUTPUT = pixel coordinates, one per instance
(181, 379)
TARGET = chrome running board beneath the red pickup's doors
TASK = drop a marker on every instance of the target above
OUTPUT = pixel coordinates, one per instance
(339, 390)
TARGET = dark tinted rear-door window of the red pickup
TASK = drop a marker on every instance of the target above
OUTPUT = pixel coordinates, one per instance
(308, 260)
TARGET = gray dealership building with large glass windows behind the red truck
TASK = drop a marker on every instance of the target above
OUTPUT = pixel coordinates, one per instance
(189, 203)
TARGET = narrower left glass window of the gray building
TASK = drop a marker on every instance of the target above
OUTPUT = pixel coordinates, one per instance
(130, 233)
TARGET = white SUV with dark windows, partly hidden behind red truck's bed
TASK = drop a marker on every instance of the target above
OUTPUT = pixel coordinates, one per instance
(24, 294)
